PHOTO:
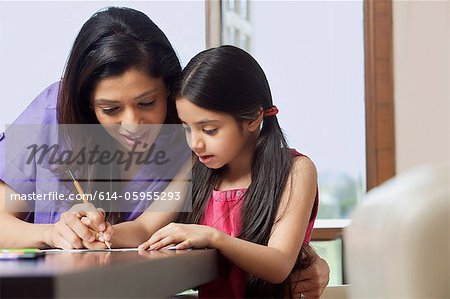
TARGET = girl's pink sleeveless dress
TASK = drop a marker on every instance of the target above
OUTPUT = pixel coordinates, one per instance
(223, 212)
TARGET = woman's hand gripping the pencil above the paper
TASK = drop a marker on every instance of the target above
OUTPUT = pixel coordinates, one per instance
(78, 227)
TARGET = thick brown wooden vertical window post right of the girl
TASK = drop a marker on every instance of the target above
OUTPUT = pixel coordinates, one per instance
(379, 92)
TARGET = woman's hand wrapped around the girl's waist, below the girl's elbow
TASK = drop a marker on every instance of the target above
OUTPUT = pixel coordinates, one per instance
(310, 282)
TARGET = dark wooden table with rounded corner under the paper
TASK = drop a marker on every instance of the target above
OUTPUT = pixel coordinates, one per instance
(150, 274)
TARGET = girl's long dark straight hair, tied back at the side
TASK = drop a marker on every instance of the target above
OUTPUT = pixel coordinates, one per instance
(228, 79)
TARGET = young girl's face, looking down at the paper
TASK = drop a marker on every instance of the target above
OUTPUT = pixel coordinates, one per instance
(216, 138)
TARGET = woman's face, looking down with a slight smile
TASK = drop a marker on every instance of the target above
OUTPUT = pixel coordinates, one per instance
(132, 107)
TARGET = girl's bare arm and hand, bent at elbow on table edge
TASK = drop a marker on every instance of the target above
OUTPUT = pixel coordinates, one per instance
(273, 262)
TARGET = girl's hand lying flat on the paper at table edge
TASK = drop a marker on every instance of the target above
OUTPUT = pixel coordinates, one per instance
(184, 235)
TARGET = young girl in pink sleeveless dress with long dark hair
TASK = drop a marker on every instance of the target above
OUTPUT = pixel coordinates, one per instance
(255, 200)
